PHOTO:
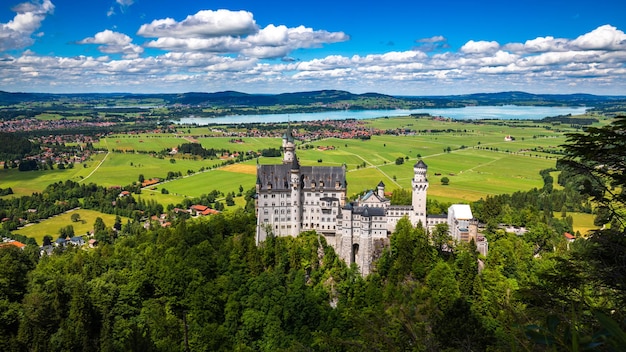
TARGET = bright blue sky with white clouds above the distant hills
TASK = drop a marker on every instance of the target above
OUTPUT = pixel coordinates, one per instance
(393, 47)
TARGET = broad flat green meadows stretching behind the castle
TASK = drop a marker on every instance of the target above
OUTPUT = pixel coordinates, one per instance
(474, 157)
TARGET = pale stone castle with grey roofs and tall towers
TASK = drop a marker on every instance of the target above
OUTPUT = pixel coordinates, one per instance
(292, 198)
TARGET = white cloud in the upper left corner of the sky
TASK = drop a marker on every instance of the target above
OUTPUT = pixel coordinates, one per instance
(17, 33)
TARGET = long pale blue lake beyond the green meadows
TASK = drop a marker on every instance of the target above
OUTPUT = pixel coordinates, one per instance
(505, 112)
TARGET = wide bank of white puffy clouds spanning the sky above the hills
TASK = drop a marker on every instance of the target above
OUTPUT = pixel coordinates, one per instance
(202, 53)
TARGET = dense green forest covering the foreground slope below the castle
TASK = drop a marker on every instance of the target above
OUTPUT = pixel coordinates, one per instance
(204, 285)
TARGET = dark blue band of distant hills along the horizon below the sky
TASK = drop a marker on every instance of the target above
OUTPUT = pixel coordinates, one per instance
(332, 99)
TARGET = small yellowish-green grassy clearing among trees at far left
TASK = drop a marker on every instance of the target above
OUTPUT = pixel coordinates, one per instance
(53, 225)
